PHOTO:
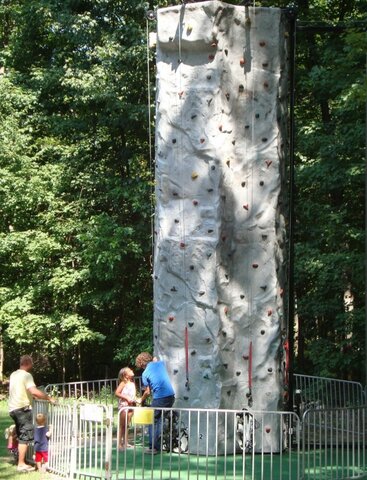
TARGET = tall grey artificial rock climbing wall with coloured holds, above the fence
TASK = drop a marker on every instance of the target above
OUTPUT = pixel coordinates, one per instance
(219, 226)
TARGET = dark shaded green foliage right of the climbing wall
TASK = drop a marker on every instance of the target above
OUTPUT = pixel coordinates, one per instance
(330, 235)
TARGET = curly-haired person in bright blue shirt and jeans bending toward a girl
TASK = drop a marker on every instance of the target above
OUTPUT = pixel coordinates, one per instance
(156, 380)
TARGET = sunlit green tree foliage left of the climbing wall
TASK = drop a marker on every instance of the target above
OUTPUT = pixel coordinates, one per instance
(75, 183)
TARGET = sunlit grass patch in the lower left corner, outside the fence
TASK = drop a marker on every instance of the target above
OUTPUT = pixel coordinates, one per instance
(8, 469)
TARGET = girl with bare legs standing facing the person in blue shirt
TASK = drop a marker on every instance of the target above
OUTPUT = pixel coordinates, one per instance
(126, 393)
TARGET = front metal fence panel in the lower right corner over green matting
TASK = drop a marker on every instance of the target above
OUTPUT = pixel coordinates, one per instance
(334, 443)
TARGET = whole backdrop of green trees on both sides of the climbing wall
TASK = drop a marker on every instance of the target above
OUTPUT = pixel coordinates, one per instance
(76, 186)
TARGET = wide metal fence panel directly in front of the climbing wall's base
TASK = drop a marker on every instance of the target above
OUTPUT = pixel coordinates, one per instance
(211, 444)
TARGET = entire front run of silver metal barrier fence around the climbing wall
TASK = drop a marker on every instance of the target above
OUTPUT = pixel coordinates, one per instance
(204, 443)
